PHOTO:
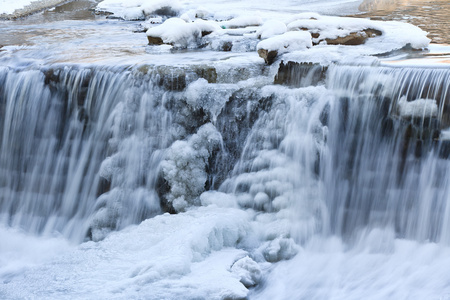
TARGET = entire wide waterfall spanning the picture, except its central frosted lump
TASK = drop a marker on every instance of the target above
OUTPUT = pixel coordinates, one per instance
(81, 148)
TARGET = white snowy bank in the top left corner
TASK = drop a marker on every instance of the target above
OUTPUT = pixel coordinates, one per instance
(21, 9)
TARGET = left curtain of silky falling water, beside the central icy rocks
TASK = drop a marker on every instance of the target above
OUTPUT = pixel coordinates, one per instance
(58, 126)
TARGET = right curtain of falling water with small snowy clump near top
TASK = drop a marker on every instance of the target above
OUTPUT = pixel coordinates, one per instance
(388, 159)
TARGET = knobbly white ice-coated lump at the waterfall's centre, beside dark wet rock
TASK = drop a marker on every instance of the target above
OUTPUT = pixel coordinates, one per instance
(185, 167)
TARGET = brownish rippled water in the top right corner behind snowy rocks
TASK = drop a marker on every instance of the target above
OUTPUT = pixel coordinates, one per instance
(432, 16)
